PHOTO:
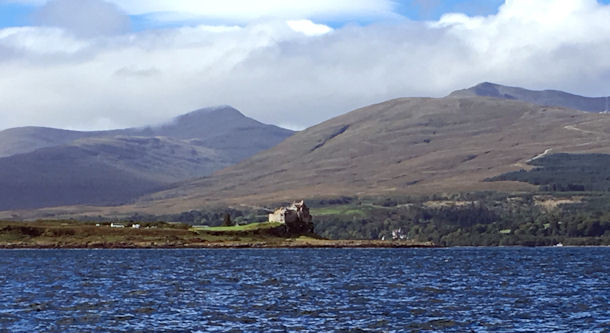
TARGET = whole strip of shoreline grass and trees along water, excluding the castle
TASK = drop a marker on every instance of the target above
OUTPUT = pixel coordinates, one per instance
(461, 219)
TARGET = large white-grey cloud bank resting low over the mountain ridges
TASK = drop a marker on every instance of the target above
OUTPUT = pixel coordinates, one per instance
(278, 75)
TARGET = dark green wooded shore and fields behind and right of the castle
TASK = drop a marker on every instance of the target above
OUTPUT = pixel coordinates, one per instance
(460, 219)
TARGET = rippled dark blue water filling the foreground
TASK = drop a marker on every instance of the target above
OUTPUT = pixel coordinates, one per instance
(478, 289)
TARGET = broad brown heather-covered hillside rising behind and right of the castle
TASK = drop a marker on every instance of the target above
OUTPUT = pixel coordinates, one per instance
(408, 145)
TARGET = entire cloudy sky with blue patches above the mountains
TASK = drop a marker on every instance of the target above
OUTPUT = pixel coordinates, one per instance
(101, 64)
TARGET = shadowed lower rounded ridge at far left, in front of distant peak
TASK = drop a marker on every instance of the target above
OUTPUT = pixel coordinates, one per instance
(100, 171)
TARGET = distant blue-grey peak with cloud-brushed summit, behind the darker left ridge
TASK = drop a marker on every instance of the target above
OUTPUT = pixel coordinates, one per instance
(221, 127)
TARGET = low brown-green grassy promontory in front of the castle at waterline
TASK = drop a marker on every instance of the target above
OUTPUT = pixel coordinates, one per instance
(78, 234)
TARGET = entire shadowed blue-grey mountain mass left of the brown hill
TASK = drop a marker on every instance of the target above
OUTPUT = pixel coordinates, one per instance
(45, 167)
